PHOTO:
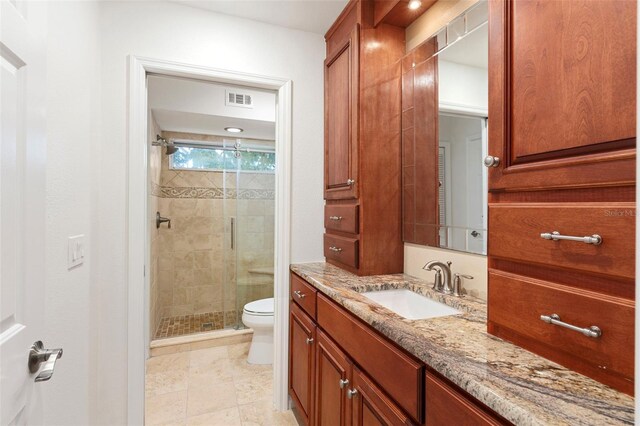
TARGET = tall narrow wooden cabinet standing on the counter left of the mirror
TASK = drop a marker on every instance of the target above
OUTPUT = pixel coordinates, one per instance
(362, 142)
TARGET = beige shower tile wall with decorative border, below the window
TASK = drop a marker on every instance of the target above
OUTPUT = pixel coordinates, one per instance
(197, 268)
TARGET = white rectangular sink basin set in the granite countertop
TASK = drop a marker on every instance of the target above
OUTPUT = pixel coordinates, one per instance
(410, 305)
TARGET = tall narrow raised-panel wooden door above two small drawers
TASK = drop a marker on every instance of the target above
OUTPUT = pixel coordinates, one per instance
(341, 121)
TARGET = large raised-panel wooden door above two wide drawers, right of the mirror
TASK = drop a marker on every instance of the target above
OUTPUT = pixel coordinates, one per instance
(562, 93)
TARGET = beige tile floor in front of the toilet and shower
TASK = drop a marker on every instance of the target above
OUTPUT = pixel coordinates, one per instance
(214, 387)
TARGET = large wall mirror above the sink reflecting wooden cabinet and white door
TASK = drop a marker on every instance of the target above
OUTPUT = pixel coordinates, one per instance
(445, 110)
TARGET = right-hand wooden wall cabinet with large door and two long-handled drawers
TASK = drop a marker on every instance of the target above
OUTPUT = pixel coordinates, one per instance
(562, 101)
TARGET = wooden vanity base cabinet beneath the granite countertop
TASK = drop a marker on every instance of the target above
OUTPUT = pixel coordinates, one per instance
(349, 374)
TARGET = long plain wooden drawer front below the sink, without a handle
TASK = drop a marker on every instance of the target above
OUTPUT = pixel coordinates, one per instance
(397, 373)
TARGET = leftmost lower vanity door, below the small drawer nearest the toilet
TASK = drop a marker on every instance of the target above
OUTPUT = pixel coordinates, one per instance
(302, 335)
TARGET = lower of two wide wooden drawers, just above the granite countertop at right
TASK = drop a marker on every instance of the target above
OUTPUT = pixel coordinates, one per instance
(517, 302)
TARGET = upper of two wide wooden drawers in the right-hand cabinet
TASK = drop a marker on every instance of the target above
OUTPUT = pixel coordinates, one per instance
(516, 228)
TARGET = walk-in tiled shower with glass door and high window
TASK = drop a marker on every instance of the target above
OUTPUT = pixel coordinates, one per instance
(217, 252)
